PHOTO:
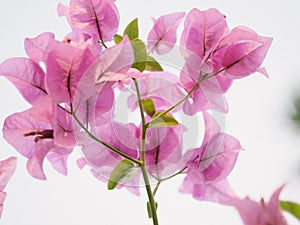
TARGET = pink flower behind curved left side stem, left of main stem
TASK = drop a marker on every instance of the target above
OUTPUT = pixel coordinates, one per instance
(101, 160)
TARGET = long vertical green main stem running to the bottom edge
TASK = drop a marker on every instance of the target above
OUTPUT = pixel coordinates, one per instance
(143, 157)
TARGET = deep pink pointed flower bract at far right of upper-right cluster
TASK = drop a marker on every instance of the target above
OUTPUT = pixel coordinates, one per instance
(241, 53)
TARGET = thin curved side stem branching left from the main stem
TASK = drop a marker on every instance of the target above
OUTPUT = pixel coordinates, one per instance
(105, 144)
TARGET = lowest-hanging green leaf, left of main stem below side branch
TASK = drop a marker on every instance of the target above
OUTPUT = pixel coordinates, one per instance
(124, 171)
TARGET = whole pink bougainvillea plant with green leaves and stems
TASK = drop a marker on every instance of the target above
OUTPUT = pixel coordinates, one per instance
(72, 86)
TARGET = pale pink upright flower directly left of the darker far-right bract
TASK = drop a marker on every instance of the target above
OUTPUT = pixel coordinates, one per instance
(202, 32)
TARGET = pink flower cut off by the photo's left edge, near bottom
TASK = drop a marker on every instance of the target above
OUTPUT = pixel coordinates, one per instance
(7, 168)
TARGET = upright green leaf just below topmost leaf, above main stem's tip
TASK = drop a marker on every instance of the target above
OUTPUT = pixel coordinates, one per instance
(140, 54)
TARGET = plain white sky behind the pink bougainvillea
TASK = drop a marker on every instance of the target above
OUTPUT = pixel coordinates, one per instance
(258, 117)
